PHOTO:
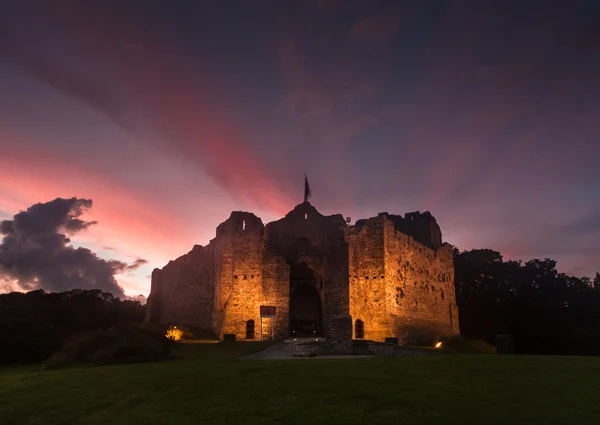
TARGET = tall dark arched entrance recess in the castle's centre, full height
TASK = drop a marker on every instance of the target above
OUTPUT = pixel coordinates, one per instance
(306, 307)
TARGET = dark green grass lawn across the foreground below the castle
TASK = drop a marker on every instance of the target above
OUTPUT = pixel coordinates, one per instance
(209, 386)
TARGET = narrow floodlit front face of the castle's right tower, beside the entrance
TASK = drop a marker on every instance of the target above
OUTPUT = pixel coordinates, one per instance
(367, 288)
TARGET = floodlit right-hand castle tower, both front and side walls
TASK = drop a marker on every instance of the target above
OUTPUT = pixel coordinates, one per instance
(399, 287)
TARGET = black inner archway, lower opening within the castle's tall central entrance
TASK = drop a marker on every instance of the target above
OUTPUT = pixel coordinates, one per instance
(305, 312)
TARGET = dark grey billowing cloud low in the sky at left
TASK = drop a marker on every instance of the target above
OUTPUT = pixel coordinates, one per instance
(34, 250)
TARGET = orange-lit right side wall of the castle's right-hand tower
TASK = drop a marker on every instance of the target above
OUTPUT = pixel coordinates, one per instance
(420, 298)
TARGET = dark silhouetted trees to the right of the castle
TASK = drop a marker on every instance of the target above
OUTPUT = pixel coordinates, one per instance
(545, 311)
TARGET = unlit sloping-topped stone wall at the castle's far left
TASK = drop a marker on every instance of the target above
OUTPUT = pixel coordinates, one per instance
(182, 292)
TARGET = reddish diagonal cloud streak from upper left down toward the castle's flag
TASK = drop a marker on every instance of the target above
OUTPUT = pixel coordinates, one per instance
(164, 98)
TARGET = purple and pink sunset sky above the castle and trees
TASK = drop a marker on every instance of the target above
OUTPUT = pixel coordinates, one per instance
(153, 120)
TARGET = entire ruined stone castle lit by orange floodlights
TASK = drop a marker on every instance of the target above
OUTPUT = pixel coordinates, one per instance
(315, 275)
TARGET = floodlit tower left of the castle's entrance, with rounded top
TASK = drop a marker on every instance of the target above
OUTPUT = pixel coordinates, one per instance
(238, 292)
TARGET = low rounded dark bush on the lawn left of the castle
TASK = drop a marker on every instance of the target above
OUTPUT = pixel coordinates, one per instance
(119, 344)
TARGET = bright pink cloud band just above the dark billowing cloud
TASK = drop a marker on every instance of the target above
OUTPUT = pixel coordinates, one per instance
(130, 223)
